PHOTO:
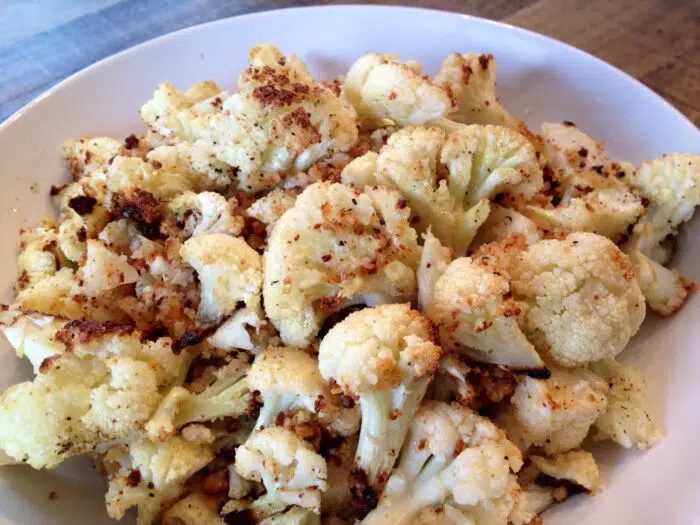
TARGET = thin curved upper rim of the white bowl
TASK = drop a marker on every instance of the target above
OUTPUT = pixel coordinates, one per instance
(371, 10)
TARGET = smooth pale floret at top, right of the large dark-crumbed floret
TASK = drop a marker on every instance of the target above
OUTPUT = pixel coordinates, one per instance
(382, 88)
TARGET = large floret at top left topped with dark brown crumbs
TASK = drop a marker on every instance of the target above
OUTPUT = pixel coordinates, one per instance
(280, 122)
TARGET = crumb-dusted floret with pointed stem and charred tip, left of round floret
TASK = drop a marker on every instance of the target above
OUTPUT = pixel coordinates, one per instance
(475, 315)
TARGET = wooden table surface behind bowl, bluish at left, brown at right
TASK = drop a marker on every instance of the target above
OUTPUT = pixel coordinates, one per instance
(43, 41)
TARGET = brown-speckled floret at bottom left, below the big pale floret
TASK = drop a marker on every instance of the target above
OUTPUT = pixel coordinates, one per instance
(162, 470)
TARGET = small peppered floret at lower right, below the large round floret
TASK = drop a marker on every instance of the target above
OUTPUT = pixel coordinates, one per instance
(626, 419)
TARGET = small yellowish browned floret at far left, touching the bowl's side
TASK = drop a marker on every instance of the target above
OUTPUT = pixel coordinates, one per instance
(38, 258)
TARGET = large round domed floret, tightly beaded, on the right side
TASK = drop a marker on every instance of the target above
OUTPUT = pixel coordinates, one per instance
(580, 298)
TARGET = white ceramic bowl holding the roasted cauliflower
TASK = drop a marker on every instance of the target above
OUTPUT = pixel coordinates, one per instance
(539, 78)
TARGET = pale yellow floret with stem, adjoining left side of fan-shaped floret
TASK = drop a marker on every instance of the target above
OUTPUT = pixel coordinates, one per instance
(410, 163)
